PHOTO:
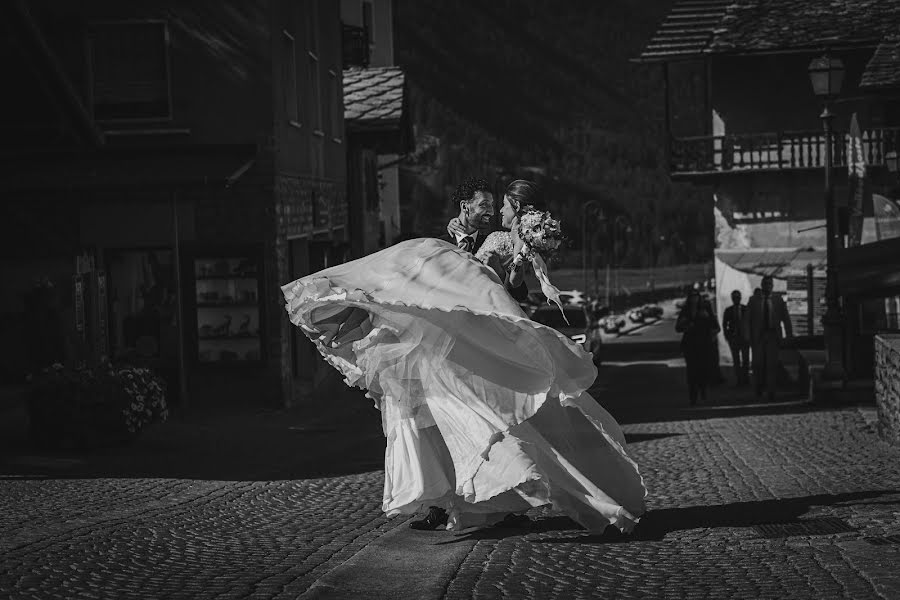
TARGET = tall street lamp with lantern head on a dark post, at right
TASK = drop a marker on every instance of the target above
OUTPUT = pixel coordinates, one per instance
(826, 75)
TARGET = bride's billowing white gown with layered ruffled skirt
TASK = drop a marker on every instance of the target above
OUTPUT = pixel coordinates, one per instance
(485, 411)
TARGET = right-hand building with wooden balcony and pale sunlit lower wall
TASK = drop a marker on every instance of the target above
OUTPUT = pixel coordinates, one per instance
(744, 123)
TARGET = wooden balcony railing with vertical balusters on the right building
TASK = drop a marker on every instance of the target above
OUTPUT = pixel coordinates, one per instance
(774, 151)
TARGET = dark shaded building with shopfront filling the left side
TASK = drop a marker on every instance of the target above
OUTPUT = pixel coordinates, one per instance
(169, 166)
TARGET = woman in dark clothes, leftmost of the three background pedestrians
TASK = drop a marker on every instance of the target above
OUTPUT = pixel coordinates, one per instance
(698, 325)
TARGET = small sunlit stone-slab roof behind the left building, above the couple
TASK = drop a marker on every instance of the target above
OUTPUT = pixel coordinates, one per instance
(373, 97)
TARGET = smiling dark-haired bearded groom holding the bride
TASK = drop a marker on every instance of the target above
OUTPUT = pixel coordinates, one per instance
(471, 227)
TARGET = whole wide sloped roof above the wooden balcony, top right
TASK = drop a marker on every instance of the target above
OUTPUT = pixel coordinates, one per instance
(702, 27)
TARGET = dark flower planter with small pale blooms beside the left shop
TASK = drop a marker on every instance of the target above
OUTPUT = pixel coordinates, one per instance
(93, 407)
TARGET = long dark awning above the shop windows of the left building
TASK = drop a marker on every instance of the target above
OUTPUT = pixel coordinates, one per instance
(123, 167)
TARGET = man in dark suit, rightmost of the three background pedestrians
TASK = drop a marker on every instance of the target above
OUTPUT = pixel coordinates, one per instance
(763, 321)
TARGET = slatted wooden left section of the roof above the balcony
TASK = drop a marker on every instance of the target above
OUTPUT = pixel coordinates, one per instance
(687, 30)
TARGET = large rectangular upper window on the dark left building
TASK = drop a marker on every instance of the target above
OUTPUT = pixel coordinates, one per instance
(129, 67)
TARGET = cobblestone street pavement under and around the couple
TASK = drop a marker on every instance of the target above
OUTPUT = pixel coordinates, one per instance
(769, 501)
